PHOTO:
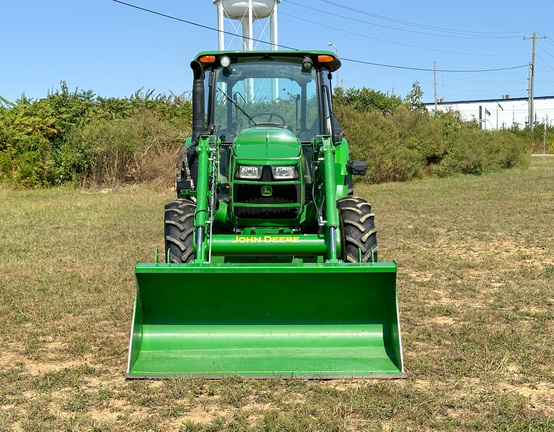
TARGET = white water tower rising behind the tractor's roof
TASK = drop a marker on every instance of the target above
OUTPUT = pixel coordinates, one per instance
(247, 11)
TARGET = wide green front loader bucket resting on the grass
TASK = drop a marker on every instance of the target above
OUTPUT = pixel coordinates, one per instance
(263, 320)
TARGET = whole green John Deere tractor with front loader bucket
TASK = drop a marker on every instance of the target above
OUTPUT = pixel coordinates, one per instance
(271, 261)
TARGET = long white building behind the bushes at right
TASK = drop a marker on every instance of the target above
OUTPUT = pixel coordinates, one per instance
(501, 113)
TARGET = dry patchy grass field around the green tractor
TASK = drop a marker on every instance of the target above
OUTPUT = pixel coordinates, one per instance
(476, 298)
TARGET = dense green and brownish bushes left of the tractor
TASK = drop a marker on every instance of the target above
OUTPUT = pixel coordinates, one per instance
(78, 137)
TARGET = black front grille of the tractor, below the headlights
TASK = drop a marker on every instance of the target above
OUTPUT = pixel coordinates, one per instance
(281, 194)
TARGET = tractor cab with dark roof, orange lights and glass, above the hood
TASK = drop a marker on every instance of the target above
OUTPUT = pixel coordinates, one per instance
(277, 89)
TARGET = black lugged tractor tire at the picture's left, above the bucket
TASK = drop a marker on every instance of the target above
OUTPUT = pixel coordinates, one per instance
(178, 230)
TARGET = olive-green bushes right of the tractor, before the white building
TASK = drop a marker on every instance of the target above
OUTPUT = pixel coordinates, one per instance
(409, 144)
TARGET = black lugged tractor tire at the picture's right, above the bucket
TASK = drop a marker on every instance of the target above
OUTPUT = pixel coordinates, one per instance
(358, 232)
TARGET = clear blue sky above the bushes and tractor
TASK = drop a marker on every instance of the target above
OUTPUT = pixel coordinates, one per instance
(115, 50)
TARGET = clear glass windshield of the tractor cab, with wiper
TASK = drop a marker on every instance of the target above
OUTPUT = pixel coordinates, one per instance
(257, 93)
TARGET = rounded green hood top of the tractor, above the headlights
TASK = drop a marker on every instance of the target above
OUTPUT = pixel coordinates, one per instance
(266, 143)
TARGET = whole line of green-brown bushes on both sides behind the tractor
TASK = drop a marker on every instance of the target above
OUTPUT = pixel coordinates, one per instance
(80, 138)
